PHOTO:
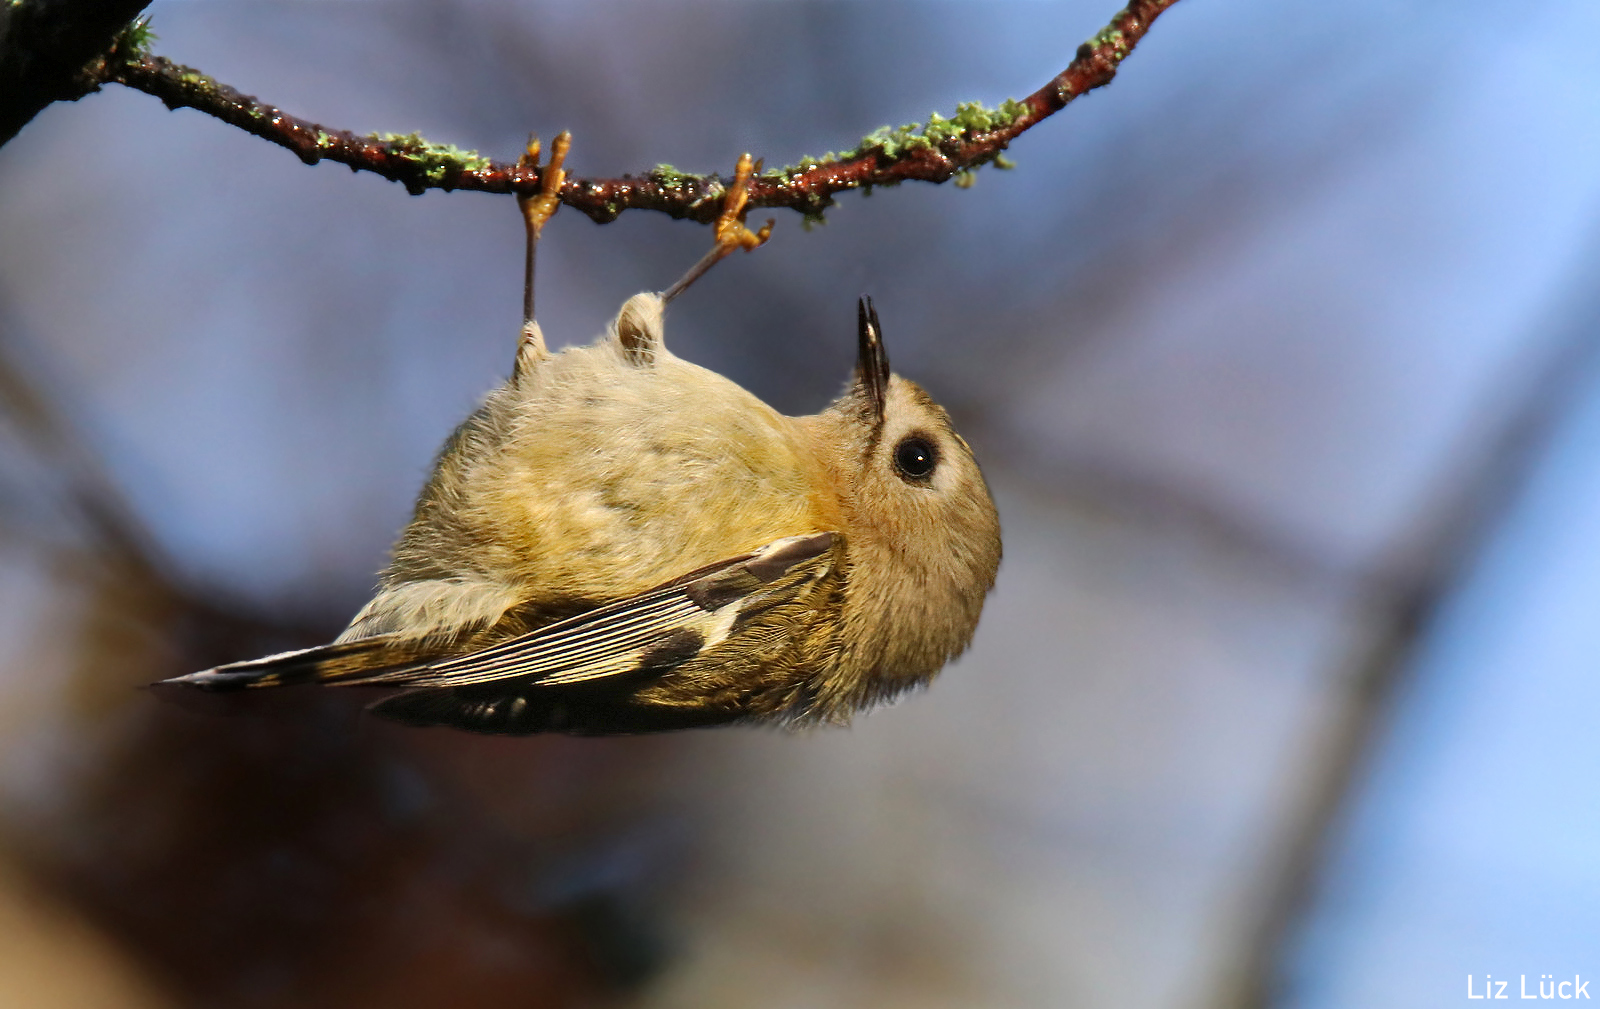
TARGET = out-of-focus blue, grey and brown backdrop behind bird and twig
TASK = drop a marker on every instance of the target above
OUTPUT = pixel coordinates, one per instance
(1236, 341)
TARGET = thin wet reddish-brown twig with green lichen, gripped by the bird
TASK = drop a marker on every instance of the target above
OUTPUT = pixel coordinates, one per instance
(934, 153)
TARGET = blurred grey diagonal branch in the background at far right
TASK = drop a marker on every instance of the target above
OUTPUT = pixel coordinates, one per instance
(1428, 568)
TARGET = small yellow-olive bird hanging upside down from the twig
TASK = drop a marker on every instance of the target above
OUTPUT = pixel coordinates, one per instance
(620, 541)
